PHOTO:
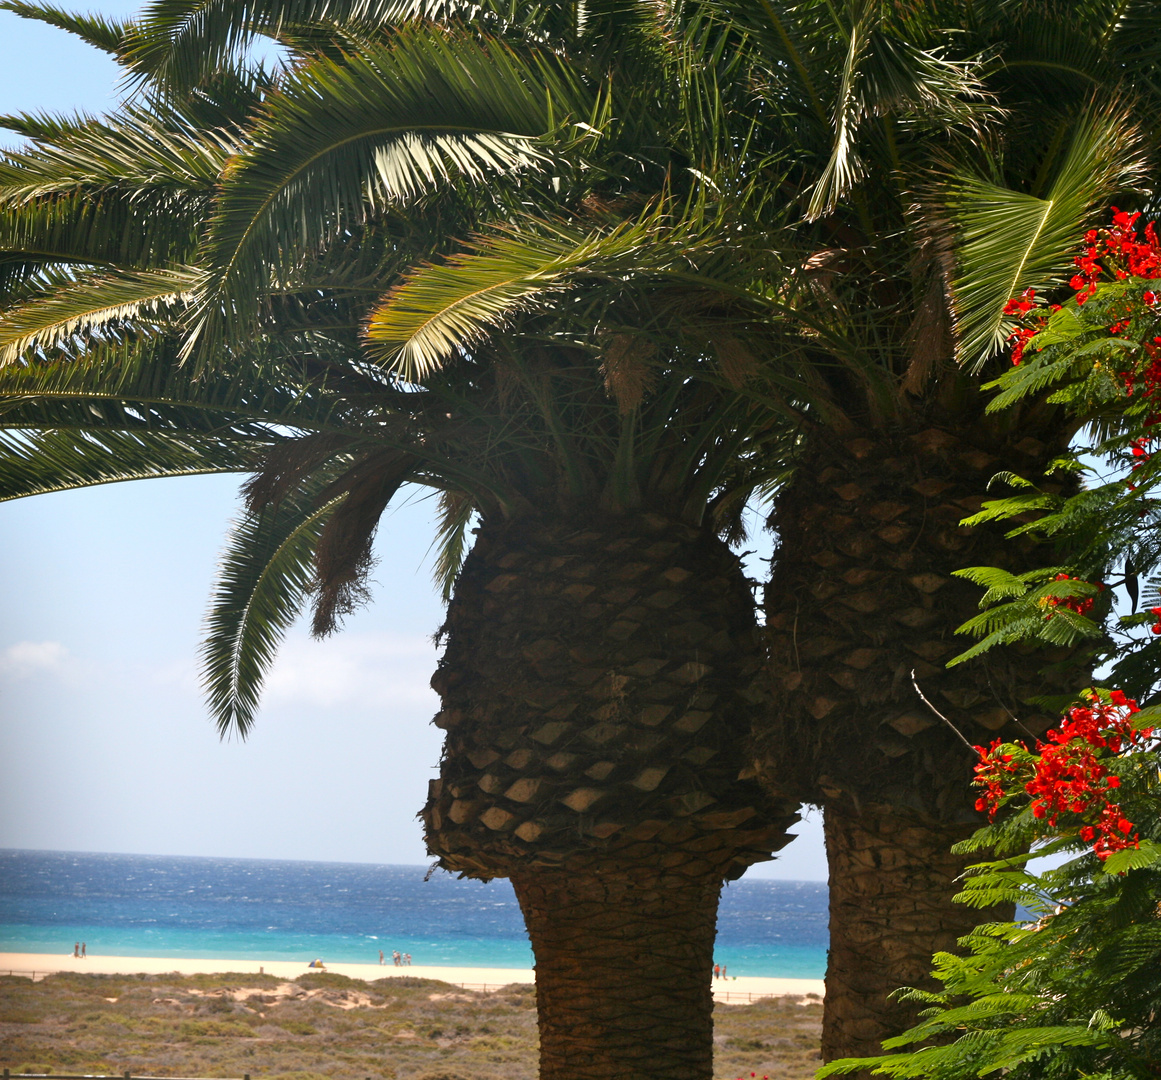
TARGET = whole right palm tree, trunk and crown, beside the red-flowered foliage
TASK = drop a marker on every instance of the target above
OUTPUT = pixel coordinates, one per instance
(922, 224)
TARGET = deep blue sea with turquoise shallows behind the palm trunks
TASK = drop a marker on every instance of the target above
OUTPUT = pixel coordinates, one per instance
(165, 906)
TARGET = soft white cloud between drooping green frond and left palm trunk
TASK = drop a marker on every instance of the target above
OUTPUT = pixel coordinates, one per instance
(374, 671)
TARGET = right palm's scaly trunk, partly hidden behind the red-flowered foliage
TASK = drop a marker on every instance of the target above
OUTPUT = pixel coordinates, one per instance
(862, 596)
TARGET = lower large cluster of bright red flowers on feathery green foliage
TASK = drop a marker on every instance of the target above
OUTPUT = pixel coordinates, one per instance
(1066, 775)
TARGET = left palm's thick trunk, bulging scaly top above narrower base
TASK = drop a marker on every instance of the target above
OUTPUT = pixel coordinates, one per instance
(600, 683)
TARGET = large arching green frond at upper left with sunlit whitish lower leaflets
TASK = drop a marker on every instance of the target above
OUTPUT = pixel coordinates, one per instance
(370, 132)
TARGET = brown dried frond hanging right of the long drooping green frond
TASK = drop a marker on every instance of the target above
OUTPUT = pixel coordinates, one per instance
(343, 559)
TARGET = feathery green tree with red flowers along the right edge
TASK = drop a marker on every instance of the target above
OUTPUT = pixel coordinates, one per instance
(1075, 990)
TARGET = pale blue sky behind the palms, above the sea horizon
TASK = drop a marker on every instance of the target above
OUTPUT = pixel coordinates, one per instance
(105, 741)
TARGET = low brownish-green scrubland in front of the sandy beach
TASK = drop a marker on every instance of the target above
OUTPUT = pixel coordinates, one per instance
(326, 1027)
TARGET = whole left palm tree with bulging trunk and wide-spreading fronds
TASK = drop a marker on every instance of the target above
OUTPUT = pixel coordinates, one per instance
(603, 666)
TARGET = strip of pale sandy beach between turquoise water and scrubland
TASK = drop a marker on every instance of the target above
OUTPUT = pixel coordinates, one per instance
(40, 964)
